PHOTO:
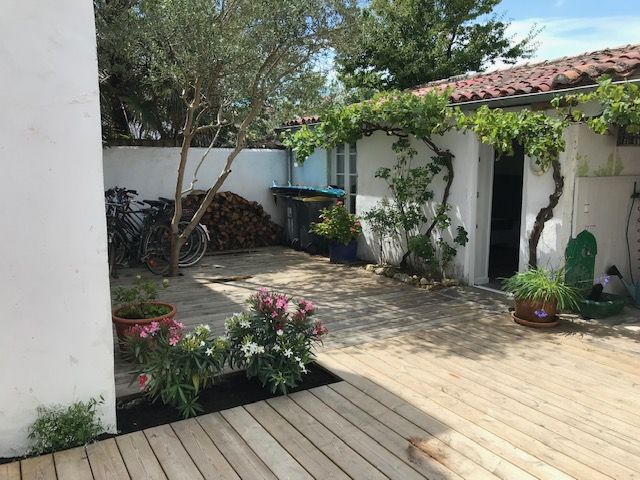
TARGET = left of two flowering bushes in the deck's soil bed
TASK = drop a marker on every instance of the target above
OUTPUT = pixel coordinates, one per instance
(173, 367)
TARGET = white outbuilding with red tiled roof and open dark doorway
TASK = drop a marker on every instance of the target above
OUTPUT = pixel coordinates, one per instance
(497, 201)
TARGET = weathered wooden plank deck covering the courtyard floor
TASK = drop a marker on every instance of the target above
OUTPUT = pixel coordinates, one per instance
(435, 385)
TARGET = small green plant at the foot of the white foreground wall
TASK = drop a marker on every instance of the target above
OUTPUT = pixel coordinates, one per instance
(59, 428)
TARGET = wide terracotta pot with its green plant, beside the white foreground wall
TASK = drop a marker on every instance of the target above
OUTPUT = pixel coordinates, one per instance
(138, 305)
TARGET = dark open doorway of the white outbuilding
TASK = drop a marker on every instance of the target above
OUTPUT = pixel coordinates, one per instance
(506, 212)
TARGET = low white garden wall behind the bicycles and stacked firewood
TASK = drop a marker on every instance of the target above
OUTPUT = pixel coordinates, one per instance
(152, 172)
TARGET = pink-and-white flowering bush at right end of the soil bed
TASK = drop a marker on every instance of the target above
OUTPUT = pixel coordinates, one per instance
(272, 343)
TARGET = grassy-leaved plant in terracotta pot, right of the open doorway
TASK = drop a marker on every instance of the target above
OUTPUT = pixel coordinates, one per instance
(539, 294)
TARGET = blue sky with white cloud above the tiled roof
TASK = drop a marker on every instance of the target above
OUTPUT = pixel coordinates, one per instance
(571, 27)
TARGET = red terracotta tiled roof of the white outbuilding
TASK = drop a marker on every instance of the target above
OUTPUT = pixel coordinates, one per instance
(566, 72)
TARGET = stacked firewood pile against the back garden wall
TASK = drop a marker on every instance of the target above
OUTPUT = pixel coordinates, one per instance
(235, 222)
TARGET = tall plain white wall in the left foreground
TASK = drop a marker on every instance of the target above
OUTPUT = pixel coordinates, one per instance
(56, 345)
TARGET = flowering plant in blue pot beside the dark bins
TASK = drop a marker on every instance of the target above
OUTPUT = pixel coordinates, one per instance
(342, 229)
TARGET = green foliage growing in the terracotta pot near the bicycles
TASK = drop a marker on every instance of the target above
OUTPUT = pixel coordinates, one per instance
(134, 301)
